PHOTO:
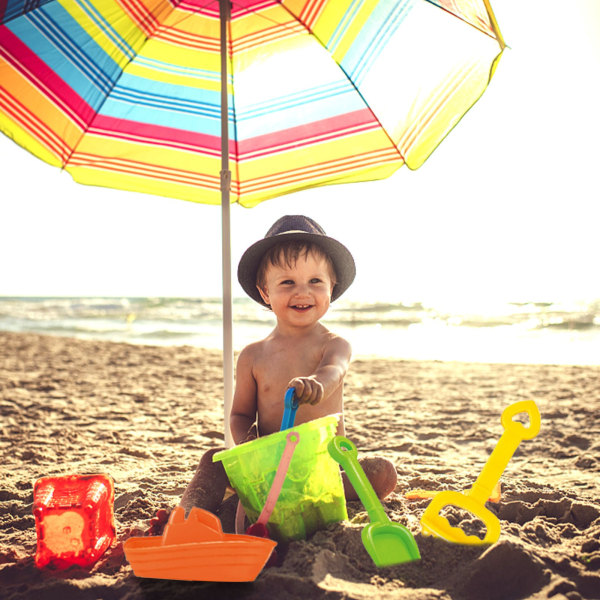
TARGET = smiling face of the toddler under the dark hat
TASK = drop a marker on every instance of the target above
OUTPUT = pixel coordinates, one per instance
(299, 295)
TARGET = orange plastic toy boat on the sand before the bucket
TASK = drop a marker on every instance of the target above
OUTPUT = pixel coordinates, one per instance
(196, 549)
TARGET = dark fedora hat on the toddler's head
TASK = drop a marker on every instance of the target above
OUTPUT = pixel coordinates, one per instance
(296, 228)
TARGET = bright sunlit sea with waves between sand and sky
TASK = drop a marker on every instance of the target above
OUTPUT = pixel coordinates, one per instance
(512, 332)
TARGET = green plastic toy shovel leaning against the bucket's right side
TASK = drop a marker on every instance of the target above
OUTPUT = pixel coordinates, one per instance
(387, 543)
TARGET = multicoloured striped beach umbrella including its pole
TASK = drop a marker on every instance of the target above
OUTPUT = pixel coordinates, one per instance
(217, 102)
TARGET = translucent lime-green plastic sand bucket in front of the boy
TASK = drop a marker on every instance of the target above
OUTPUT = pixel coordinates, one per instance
(312, 495)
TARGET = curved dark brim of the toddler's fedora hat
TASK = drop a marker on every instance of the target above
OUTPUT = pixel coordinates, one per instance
(343, 262)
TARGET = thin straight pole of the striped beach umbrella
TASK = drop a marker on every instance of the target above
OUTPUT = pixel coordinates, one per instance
(224, 10)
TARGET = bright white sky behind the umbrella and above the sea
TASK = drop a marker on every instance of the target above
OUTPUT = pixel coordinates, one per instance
(506, 209)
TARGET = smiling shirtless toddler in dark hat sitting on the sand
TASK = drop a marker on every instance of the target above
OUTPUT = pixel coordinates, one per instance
(296, 271)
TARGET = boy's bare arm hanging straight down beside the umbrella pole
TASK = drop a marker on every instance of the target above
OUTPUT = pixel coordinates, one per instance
(243, 411)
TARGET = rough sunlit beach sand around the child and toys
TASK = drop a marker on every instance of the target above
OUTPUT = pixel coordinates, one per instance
(145, 415)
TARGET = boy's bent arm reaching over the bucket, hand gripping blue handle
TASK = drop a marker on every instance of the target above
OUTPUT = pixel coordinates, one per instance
(328, 376)
